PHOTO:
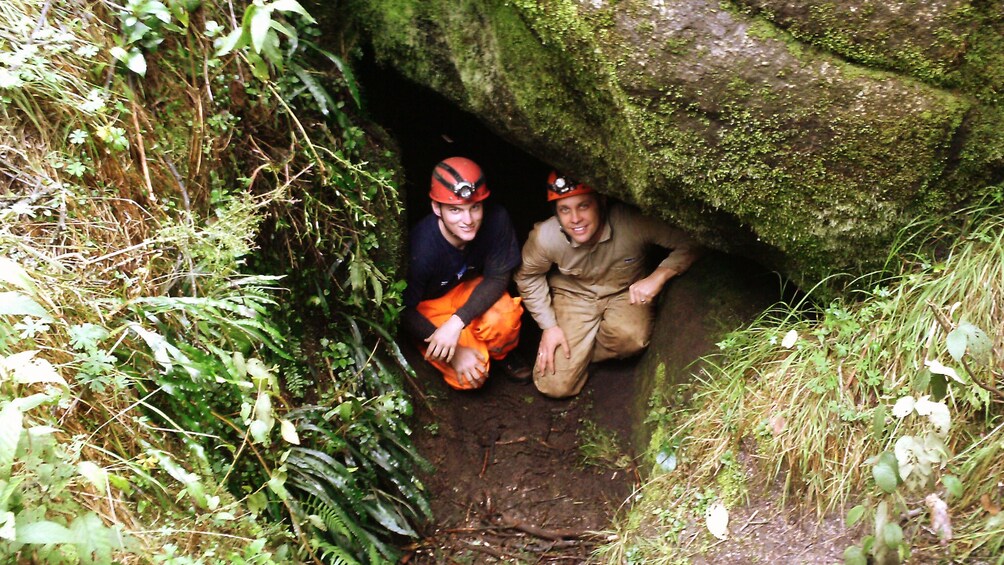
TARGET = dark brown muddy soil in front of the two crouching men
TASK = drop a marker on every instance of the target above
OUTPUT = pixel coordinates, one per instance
(510, 483)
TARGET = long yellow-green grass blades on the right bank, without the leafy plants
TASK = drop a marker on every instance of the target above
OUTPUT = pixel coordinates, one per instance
(807, 391)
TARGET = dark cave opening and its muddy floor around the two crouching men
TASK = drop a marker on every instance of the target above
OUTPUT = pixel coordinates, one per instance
(518, 475)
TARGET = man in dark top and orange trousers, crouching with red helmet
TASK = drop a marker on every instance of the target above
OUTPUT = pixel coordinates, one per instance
(462, 259)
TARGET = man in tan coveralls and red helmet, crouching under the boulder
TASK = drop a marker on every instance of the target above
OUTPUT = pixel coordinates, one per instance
(584, 279)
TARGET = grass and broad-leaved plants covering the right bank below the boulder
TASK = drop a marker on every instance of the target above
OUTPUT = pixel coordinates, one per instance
(883, 409)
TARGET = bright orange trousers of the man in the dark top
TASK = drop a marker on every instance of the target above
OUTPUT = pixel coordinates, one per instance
(493, 335)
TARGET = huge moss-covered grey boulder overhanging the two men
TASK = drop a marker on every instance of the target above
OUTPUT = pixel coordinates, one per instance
(805, 135)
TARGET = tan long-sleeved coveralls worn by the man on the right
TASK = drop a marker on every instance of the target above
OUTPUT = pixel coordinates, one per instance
(588, 295)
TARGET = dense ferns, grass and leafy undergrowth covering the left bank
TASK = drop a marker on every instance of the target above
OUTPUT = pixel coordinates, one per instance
(195, 301)
